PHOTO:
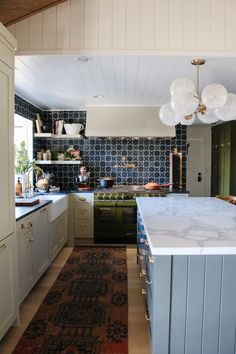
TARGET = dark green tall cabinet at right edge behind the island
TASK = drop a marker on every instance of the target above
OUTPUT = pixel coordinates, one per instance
(224, 159)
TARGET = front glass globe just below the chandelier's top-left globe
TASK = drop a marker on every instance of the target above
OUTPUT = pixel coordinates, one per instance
(184, 105)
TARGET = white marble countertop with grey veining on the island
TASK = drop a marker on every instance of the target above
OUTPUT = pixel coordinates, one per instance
(190, 225)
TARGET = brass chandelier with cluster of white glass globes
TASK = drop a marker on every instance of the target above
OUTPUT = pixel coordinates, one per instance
(212, 105)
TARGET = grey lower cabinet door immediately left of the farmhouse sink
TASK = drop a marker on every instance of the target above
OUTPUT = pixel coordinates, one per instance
(41, 242)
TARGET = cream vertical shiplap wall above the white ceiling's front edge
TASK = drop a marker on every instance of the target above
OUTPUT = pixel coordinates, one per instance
(205, 26)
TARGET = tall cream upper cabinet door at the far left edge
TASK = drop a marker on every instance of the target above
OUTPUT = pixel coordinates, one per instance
(6, 152)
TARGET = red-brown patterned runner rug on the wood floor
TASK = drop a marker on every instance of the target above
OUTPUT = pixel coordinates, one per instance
(86, 310)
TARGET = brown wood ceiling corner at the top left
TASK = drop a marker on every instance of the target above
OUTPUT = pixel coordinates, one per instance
(12, 11)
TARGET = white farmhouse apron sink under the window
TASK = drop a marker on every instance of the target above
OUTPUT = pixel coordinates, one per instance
(57, 207)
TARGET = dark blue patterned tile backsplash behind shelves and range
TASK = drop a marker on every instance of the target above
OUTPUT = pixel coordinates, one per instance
(150, 156)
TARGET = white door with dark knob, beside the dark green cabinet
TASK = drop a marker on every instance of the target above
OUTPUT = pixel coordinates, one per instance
(200, 156)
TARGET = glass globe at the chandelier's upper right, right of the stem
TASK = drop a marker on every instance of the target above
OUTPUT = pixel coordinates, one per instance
(214, 95)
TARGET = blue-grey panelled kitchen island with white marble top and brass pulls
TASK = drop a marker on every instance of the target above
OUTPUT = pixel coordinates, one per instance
(187, 257)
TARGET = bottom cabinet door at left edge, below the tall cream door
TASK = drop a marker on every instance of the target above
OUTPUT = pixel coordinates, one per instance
(8, 291)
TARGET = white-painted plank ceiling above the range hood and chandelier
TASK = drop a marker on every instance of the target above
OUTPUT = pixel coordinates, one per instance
(70, 82)
